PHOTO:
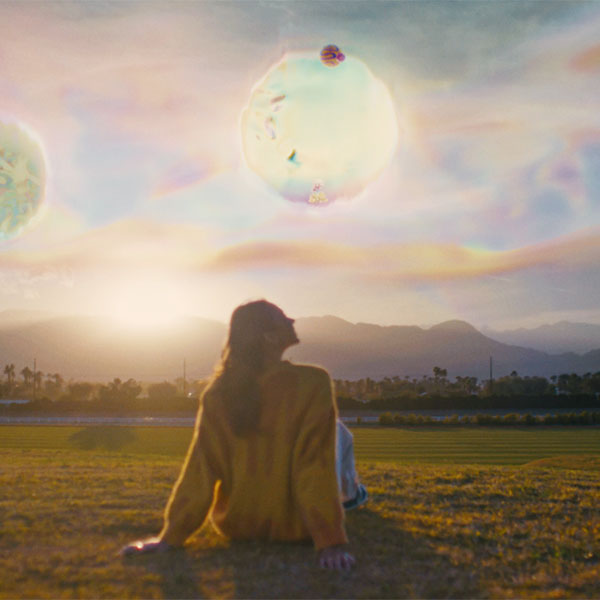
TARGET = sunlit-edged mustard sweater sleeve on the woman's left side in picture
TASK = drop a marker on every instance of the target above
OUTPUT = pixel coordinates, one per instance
(192, 495)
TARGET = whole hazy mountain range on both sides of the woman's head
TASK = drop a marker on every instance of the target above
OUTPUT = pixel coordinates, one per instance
(94, 349)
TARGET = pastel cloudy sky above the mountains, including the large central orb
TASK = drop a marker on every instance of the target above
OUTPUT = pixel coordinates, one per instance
(481, 200)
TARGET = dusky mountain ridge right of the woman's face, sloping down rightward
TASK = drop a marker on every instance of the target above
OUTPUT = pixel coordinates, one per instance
(351, 351)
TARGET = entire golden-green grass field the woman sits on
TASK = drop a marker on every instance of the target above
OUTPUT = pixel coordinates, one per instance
(455, 526)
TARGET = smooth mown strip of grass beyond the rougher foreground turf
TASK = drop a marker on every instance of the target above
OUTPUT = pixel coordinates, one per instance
(485, 445)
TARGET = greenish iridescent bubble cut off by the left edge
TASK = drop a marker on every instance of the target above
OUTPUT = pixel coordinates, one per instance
(22, 178)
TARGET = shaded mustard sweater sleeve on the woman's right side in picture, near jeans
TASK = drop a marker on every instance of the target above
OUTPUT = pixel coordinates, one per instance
(314, 476)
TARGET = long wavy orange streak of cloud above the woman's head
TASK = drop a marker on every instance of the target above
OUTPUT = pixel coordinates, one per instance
(407, 262)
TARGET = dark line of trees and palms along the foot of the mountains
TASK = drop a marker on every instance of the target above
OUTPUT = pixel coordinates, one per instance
(435, 391)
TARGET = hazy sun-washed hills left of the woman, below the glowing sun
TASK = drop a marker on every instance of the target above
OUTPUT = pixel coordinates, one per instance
(96, 349)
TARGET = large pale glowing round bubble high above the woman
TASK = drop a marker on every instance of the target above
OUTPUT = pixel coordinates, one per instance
(305, 123)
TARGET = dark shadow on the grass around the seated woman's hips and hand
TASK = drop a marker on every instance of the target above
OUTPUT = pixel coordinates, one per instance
(391, 563)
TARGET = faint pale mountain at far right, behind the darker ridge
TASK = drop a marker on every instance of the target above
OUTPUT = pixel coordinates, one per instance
(554, 339)
